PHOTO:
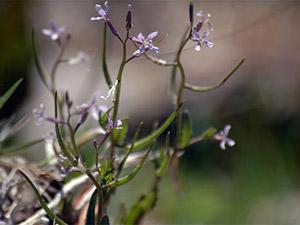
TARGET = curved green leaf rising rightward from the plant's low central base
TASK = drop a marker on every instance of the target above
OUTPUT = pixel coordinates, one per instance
(130, 176)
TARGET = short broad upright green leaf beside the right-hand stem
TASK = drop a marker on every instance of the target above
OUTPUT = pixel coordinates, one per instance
(186, 130)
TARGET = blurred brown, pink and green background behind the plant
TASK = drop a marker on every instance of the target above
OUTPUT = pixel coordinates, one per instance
(256, 181)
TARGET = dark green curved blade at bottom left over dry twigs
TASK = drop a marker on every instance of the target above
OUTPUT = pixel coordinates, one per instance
(44, 205)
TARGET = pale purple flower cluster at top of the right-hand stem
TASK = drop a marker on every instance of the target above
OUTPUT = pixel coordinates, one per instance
(201, 38)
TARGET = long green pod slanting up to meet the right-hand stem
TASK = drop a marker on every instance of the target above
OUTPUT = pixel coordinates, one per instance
(155, 134)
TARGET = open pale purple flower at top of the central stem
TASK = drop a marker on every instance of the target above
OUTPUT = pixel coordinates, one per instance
(145, 43)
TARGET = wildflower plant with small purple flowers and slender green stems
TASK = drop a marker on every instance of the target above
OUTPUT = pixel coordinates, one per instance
(114, 149)
